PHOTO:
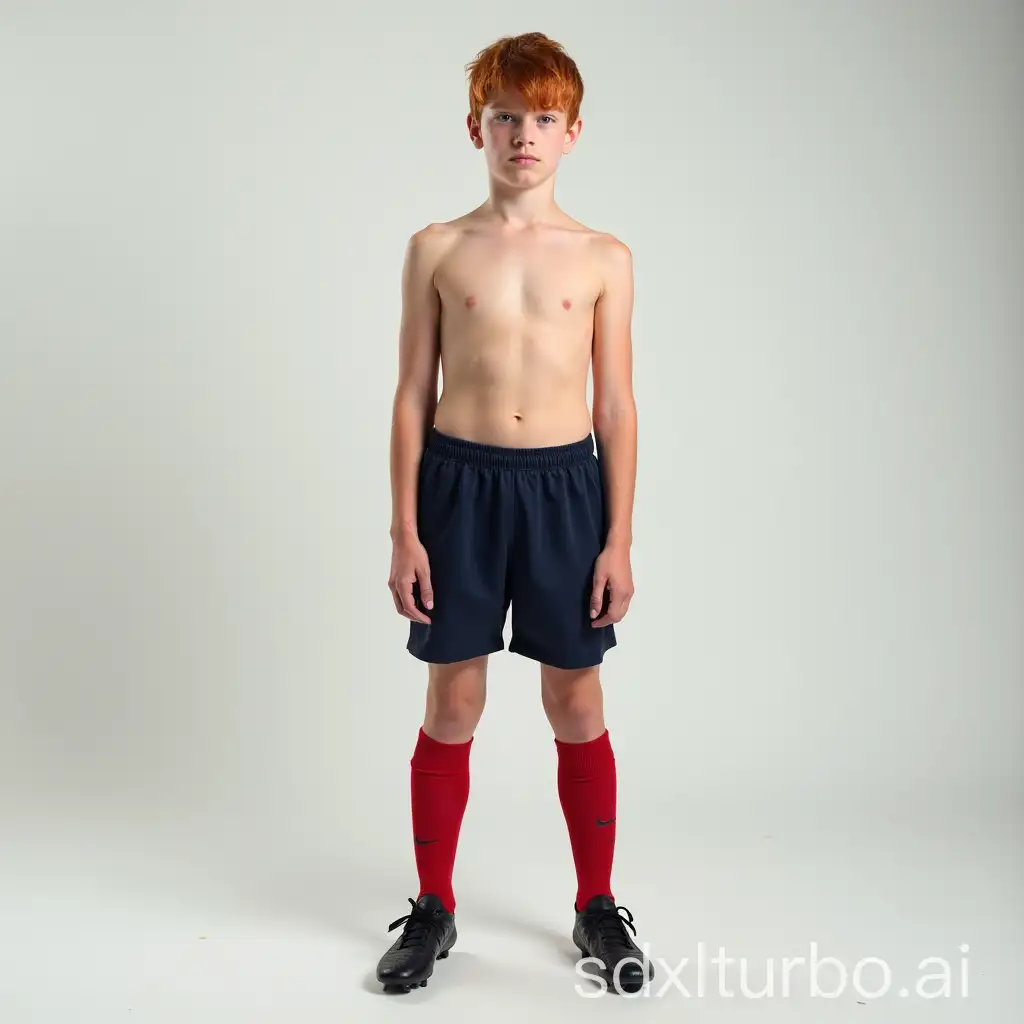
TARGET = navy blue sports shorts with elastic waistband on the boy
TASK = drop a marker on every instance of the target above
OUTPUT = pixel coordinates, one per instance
(511, 527)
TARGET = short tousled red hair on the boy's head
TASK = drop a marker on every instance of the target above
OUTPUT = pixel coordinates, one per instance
(532, 65)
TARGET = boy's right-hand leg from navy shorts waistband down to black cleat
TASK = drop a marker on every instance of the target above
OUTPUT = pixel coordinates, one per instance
(561, 531)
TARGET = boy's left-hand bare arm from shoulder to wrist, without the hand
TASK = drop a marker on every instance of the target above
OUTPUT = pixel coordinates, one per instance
(416, 394)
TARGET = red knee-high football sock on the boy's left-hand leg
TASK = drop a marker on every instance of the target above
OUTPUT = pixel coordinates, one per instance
(440, 794)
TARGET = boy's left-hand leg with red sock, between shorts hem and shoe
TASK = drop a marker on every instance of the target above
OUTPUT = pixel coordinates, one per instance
(440, 772)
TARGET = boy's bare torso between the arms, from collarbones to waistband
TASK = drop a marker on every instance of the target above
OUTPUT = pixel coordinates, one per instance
(517, 326)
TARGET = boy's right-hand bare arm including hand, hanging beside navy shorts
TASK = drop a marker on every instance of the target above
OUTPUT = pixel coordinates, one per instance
(616, 430)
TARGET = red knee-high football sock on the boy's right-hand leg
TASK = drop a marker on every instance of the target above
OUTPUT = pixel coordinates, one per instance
(587, 793)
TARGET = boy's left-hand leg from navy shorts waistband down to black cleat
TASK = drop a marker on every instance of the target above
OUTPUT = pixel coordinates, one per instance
(462, 525)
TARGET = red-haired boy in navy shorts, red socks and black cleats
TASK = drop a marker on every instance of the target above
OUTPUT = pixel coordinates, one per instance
(501, 497)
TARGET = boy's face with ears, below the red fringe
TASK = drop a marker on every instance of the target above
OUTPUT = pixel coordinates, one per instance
(523, 147)
